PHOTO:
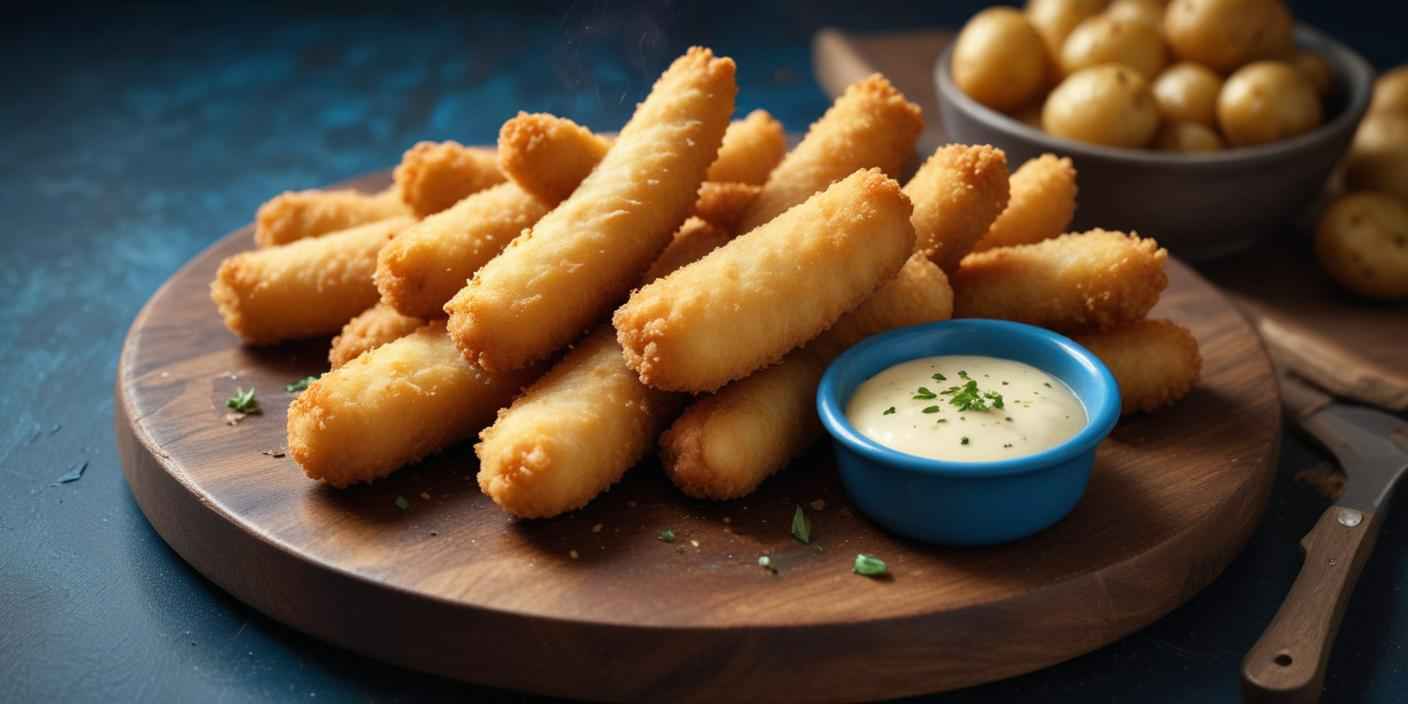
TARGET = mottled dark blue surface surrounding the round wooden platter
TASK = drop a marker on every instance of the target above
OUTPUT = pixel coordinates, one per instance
(136, 136)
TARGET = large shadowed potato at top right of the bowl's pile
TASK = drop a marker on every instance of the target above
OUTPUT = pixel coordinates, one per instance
(1227, 34)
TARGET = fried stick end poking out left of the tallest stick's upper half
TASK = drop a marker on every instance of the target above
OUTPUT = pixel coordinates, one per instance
(548, 156)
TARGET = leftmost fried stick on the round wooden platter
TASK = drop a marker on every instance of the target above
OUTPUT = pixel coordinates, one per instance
(303, 289)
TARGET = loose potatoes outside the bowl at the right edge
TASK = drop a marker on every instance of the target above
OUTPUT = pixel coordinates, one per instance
(1362, 239)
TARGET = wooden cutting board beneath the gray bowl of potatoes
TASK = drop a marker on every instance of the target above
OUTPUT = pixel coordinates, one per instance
(1351, 347)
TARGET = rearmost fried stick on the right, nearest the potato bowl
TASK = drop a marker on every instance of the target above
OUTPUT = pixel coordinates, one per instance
(1041, 208)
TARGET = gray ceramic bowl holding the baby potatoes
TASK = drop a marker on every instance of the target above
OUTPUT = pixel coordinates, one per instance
(1198, 206)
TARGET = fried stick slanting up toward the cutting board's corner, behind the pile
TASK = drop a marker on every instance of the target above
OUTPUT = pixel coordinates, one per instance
(869, 126)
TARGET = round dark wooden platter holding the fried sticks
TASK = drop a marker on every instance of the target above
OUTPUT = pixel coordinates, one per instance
(593, 605)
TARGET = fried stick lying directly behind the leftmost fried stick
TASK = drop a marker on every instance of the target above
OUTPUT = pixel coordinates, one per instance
(298, 215)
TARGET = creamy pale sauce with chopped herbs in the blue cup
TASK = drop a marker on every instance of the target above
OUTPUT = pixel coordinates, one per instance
(967, 409)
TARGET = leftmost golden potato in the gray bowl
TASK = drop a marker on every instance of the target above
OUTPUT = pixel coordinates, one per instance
(999, 60)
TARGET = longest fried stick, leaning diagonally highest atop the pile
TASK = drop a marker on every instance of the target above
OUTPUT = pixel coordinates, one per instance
(553, 284)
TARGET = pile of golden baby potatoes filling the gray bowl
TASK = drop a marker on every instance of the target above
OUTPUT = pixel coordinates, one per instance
(1185, 77)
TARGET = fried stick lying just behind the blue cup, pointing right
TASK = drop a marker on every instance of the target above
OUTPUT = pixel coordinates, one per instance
(1072, 284)
